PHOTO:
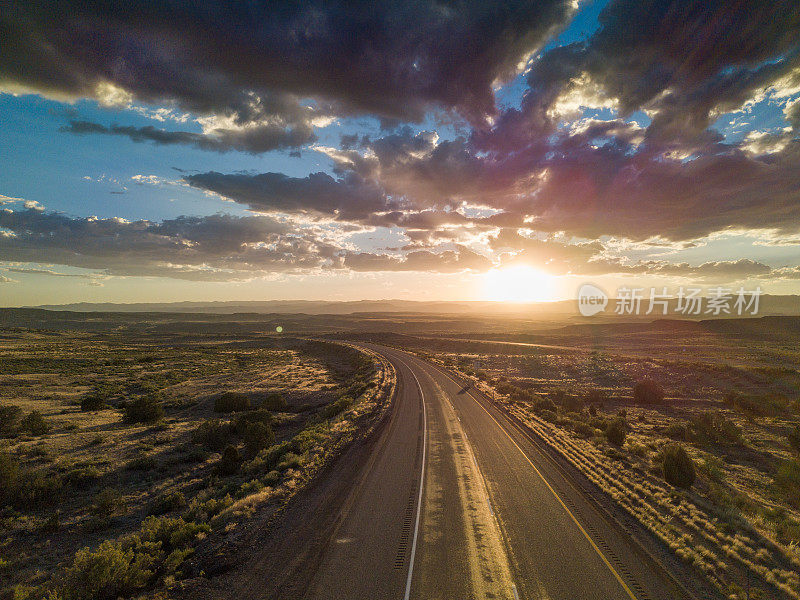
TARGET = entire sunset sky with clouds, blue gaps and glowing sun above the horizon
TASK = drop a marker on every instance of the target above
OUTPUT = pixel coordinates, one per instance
(414, 150)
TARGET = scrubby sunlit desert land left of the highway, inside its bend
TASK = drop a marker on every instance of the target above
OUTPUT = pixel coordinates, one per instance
(126, 460)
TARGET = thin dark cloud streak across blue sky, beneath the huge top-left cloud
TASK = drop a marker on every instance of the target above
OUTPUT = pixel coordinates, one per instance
(254, 139)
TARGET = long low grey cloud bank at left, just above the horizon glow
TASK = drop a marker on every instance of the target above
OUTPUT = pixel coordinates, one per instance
(217, 247)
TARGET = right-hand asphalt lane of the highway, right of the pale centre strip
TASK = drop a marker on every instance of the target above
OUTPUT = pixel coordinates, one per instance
(557, 543)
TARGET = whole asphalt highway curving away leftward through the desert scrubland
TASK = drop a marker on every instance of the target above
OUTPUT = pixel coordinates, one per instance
(458, 503)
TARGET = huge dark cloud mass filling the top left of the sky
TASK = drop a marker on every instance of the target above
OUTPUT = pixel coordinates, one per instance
(390, 58)
